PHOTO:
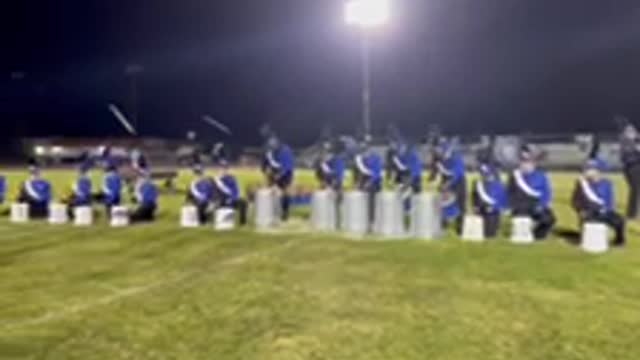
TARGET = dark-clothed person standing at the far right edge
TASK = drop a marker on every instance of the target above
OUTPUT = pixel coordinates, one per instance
(630, 152)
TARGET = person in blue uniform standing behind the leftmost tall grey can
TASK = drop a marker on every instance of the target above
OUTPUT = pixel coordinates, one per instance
(278, 166)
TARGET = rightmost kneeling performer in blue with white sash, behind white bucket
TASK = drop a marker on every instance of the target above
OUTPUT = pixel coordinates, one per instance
(594, 201)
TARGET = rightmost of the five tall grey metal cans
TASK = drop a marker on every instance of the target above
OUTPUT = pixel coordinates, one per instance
(426, 216)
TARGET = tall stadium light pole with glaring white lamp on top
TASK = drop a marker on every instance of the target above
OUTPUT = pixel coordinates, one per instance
(367, 15)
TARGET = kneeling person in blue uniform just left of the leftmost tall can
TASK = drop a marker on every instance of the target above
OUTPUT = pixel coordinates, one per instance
(227, 192)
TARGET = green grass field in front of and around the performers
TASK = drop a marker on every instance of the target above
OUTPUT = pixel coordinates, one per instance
(161, 292)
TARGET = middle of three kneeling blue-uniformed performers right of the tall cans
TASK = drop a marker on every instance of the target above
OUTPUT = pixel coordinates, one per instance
(530, 194)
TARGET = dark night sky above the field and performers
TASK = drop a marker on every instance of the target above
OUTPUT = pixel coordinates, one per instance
(470, 66)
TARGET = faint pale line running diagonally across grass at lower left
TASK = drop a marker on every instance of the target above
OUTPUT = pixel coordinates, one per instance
(129, 292)
